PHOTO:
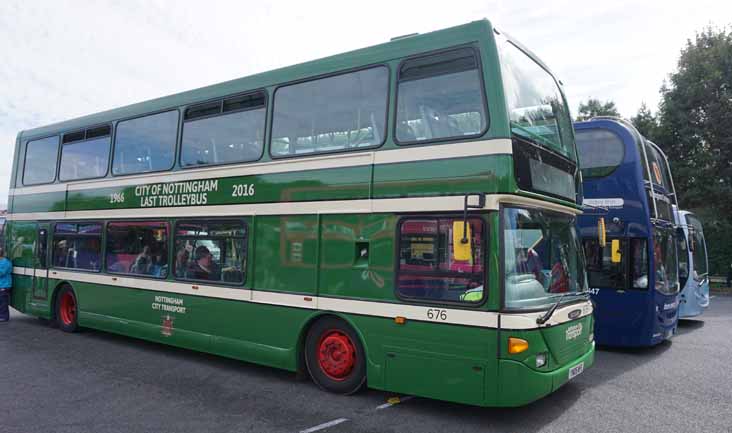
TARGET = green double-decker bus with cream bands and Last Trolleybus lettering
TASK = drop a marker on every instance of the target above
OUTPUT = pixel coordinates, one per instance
(400, 217)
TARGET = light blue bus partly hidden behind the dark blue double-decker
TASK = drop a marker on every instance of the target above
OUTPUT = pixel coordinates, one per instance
(693, 265)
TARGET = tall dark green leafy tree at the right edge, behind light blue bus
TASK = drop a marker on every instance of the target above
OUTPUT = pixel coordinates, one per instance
(695, 131)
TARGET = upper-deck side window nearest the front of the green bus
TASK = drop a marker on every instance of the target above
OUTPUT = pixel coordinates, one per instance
(440, 96)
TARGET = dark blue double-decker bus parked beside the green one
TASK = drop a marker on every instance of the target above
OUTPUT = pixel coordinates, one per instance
(629, 234)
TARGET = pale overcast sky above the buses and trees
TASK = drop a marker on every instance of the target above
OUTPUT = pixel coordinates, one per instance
(63, 59)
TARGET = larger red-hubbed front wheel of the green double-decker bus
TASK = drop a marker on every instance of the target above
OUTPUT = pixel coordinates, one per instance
(335, 357)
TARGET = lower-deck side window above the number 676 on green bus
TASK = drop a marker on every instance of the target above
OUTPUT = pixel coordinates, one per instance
(429, 268)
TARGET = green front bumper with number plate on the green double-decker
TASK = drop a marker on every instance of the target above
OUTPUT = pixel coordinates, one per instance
(520, 385)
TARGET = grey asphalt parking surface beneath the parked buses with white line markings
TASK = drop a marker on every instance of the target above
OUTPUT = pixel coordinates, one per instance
(98, 382)
